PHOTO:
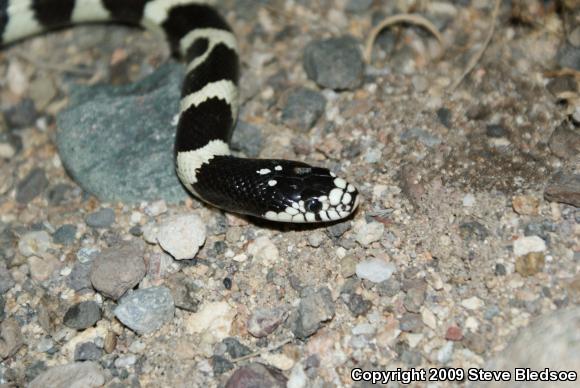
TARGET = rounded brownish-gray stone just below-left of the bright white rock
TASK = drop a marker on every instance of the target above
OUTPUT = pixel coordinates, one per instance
(118, 269)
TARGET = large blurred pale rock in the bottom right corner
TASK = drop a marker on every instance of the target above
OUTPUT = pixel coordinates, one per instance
(551, 341)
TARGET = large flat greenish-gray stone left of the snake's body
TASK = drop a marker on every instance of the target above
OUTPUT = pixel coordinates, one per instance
(130, 155)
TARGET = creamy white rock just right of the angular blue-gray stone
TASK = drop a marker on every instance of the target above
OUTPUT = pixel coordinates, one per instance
(213, 318)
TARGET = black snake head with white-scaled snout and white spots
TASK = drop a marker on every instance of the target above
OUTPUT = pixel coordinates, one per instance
(302, 193)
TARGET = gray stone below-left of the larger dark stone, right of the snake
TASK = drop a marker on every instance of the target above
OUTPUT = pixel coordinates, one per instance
(303, 108)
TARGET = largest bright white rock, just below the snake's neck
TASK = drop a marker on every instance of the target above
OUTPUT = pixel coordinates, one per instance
(181, 236)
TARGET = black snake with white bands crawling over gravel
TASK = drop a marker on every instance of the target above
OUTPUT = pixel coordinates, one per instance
(272, 189)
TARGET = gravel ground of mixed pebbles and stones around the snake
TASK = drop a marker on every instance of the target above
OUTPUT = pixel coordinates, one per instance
(465, 252)
